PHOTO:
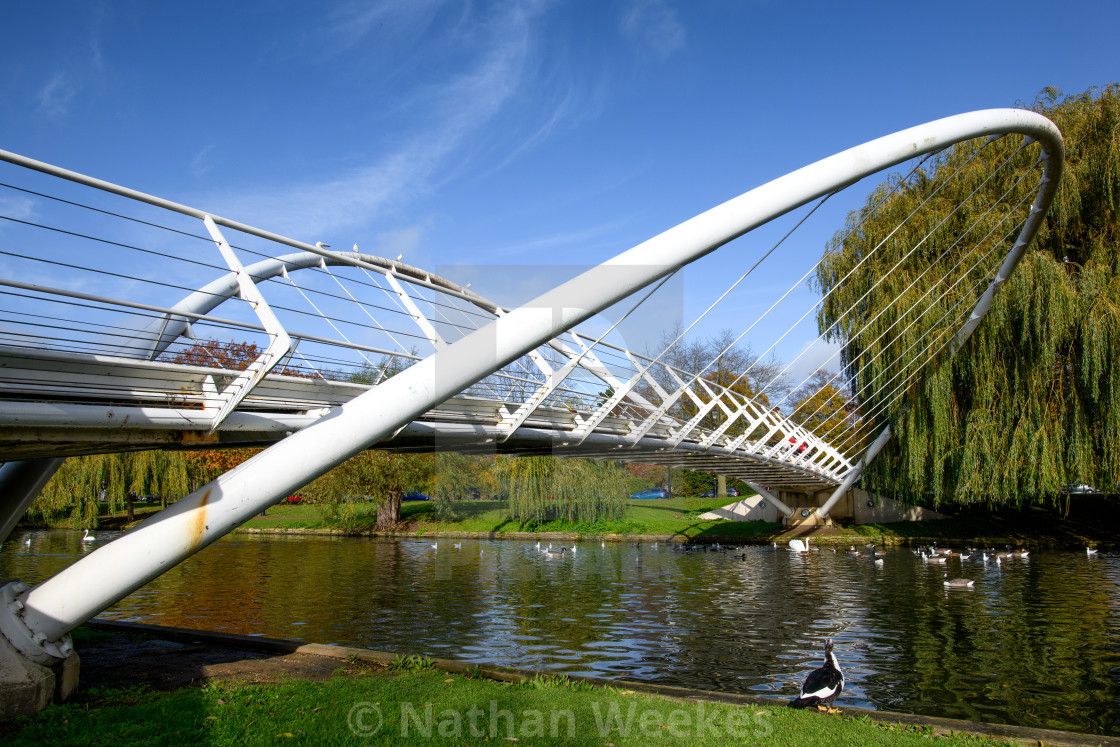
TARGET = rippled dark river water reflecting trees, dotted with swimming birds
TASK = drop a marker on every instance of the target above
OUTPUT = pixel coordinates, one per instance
(1037, 642)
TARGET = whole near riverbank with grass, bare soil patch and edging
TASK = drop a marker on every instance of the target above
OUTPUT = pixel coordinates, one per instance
(152, 685)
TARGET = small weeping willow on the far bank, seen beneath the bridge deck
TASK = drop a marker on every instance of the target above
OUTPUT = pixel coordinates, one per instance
(543, 489)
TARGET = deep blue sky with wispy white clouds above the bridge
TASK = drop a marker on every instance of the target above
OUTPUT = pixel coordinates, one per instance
(509, 144)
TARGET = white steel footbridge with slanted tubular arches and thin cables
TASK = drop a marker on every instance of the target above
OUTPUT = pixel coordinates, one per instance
(130, 322)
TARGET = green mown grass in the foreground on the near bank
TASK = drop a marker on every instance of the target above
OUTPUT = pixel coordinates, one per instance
(412, 703)
